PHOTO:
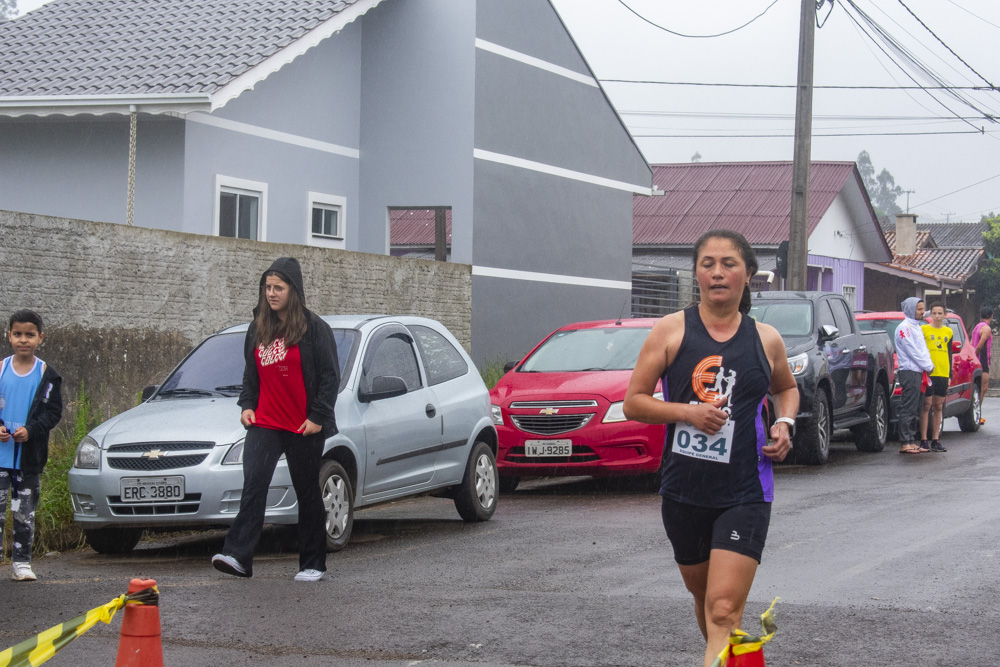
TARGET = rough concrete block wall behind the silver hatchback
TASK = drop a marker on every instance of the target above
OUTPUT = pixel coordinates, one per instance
(122, 305)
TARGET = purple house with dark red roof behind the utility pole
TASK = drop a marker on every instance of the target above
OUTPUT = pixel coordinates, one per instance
(753, 198)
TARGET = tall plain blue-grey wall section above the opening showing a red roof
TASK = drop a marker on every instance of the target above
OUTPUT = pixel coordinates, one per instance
(417, 113)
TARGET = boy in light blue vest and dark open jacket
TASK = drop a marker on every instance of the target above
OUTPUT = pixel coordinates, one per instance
(30, 406)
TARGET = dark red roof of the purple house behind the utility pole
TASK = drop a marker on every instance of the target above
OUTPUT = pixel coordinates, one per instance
(753, 198)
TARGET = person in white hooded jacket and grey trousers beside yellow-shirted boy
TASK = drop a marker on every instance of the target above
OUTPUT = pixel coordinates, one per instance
(912, 360)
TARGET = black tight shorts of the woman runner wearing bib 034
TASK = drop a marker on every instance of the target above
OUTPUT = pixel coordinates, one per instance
(694, 531)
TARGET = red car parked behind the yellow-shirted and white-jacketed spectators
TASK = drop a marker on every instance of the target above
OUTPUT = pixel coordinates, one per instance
(964, 398)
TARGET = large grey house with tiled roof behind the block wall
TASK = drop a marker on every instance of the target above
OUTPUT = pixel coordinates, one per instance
(309, 122)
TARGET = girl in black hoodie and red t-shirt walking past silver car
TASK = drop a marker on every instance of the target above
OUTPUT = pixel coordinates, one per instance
(290, 385)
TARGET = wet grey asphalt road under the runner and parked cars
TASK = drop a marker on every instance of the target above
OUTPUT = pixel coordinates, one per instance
(879, 559)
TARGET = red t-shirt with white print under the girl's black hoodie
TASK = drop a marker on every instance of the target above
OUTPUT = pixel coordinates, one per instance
(282, 401)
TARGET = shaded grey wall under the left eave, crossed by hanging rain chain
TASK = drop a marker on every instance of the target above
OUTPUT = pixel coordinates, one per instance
(79, 168)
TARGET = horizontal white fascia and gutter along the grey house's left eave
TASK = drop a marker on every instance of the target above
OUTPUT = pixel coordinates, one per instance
(97, 105)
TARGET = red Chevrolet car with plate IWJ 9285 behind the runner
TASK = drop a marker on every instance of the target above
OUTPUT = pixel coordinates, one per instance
(559, 410)
